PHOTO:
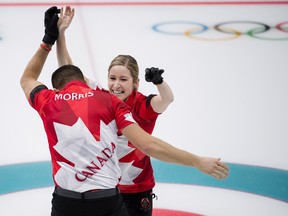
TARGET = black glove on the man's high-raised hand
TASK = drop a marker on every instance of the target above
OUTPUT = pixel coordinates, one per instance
(50, 23)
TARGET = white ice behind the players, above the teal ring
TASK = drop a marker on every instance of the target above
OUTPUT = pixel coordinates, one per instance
(230, 96)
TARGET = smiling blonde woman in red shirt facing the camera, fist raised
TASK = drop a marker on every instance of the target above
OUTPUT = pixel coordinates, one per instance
(137, 173)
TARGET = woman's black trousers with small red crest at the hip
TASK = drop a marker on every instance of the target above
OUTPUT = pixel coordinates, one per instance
(139, 204)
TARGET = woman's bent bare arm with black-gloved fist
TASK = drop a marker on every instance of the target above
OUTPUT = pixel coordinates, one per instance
(161, 101)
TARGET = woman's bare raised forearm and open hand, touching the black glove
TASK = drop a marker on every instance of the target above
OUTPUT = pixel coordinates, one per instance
(66, 17)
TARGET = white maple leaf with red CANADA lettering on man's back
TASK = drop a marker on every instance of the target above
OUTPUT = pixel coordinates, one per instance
(76, 144)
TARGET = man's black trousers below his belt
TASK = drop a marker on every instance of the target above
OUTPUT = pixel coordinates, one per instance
(107, 206)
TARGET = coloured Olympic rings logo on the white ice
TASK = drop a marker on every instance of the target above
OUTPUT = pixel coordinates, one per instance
(224, 30)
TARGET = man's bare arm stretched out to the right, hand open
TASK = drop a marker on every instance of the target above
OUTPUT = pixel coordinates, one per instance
(163, 151)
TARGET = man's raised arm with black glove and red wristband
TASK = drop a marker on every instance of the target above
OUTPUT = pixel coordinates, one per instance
(28, 80)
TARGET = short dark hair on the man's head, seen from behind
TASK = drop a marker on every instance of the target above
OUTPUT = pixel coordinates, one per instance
(65, 74)
